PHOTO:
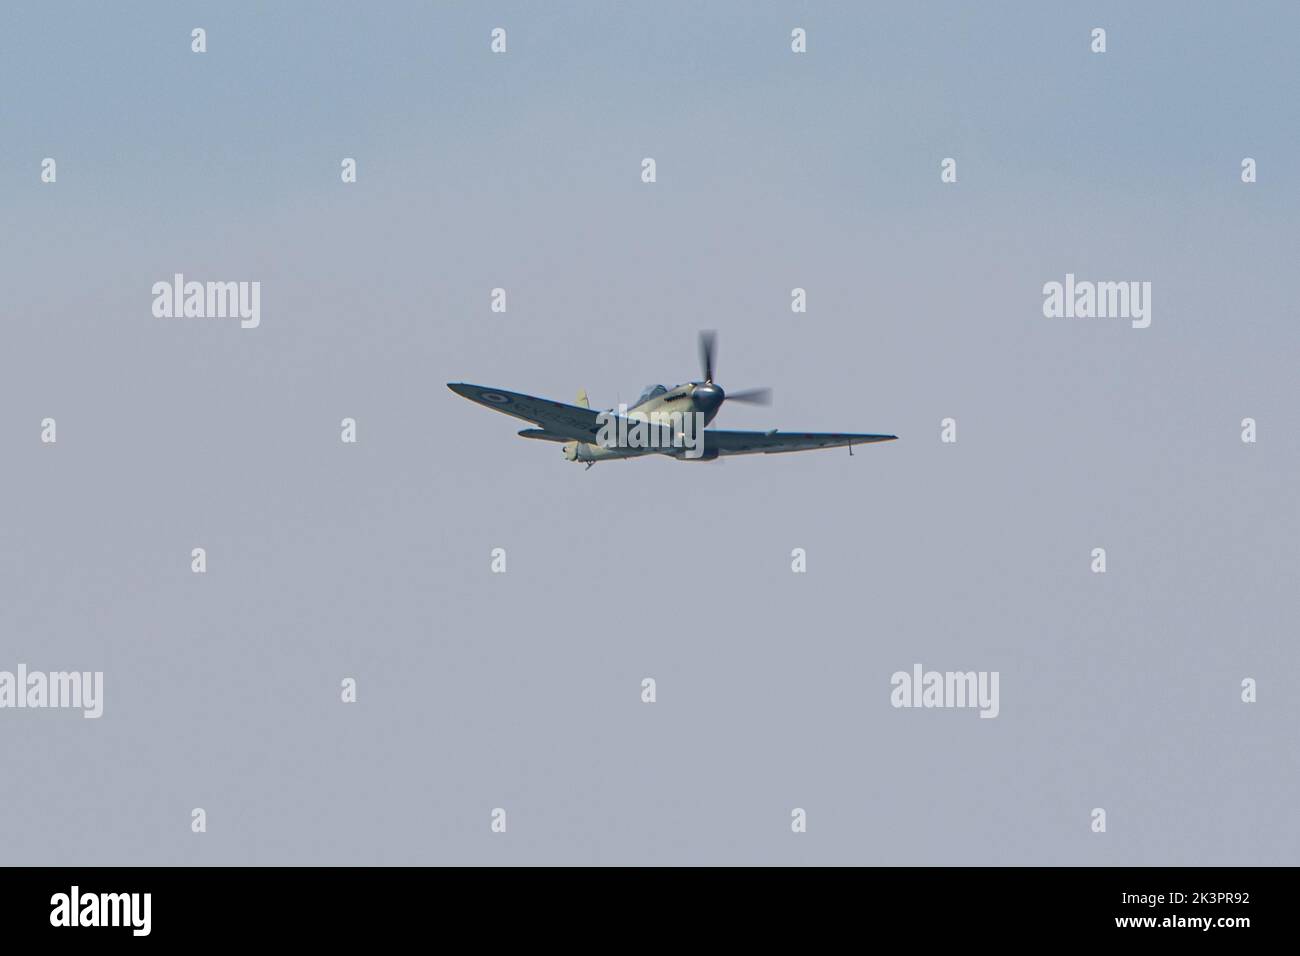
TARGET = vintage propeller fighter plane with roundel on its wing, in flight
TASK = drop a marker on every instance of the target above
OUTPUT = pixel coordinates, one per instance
(579, 427)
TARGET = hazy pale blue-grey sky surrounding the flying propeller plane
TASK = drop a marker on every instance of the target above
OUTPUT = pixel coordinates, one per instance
(522, 691)
